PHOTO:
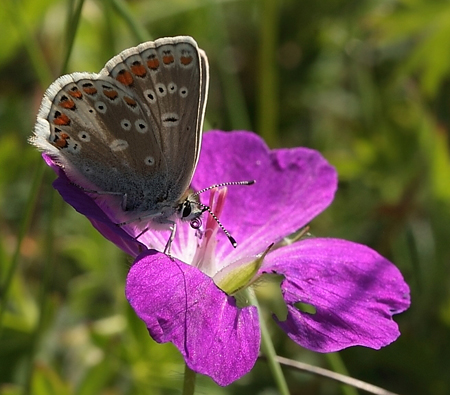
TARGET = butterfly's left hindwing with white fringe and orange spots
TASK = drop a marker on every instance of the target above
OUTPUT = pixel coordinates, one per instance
(91, 126)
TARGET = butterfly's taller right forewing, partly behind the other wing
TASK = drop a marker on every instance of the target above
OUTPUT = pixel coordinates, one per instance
(170, 76)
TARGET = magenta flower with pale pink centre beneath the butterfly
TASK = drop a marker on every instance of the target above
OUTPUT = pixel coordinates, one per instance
(188, 300)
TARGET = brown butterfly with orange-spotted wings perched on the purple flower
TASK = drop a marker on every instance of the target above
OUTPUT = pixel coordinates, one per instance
(131, 134)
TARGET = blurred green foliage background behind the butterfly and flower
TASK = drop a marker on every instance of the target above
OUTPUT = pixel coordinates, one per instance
(365, 82)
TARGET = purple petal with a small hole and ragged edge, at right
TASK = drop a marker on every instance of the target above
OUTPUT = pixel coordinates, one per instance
(354, 290)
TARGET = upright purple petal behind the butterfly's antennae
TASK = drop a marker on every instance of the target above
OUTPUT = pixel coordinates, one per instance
(292, 187)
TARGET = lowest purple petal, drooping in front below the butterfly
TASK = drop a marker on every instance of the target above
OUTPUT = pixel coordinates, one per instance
(180, 304)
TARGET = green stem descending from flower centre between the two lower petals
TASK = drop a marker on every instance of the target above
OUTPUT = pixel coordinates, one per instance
(269, 350)
